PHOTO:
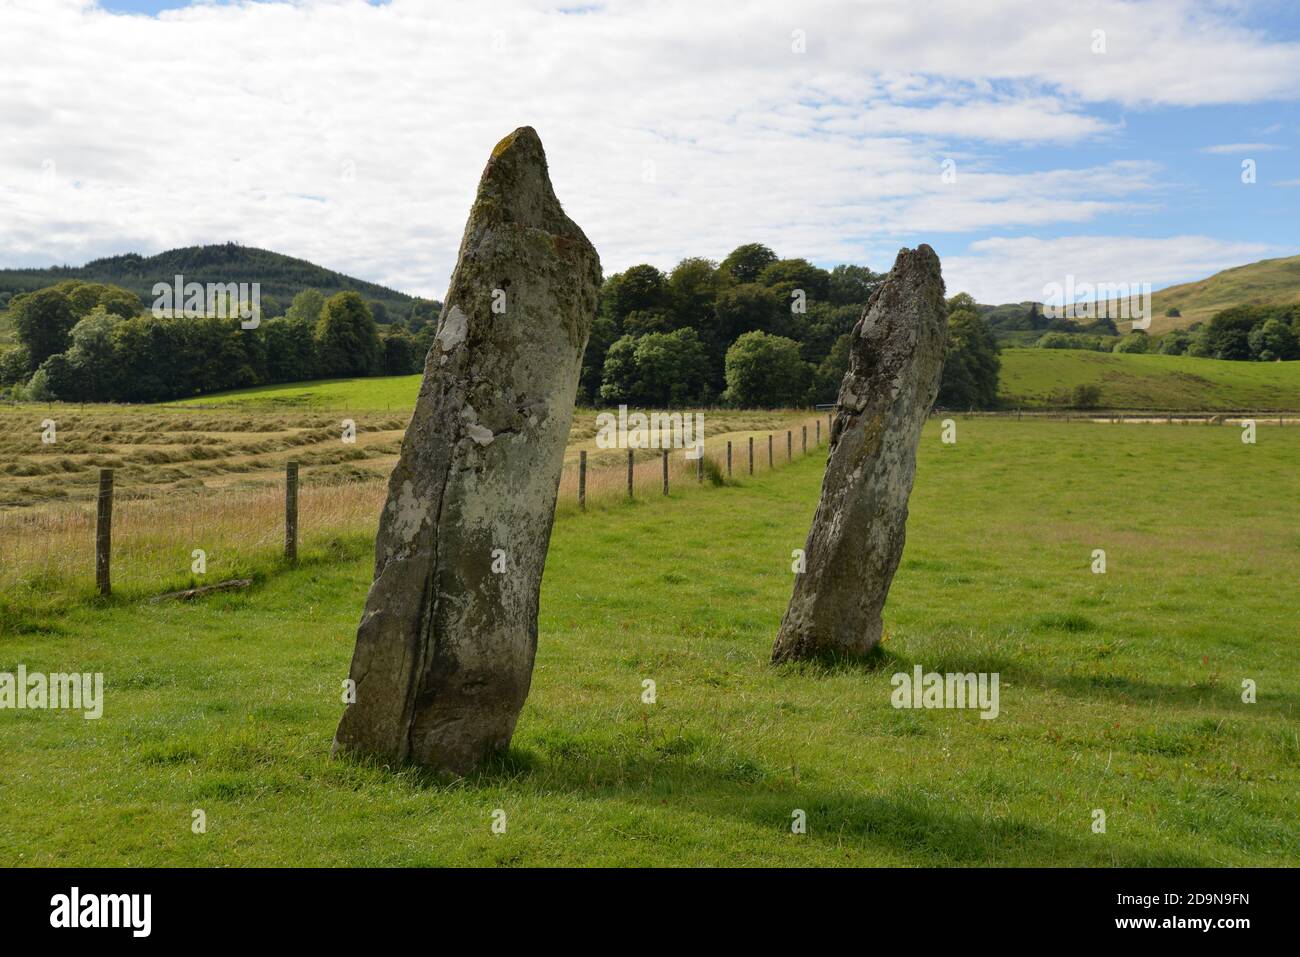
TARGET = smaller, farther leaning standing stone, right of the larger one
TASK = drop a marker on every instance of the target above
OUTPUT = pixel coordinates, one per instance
(896, 358)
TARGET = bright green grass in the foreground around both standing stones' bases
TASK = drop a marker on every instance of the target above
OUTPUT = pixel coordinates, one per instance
(1120, 692)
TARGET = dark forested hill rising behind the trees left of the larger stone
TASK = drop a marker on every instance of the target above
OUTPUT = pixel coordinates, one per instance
(280, 276)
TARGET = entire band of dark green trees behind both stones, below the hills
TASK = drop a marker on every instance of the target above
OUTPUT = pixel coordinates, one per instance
(753, 331)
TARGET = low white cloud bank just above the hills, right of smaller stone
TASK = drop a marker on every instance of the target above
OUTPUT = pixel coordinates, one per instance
(1017, 270)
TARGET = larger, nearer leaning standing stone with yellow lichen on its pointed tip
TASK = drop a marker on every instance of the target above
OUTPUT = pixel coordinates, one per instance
(447, 643)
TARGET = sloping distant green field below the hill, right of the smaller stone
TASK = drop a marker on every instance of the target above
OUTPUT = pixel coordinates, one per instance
(1032, 376)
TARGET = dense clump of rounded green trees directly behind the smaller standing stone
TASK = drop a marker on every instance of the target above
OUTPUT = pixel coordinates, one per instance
(753, 331)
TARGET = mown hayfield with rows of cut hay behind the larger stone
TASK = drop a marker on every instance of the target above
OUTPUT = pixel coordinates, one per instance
(168, 453)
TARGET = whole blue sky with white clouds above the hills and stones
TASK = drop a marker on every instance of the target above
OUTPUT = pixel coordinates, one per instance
(1025, 140)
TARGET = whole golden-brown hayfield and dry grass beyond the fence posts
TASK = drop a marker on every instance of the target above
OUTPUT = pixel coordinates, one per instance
(216, 483)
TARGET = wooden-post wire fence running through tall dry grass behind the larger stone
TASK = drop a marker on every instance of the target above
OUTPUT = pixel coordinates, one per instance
(187, 540)
